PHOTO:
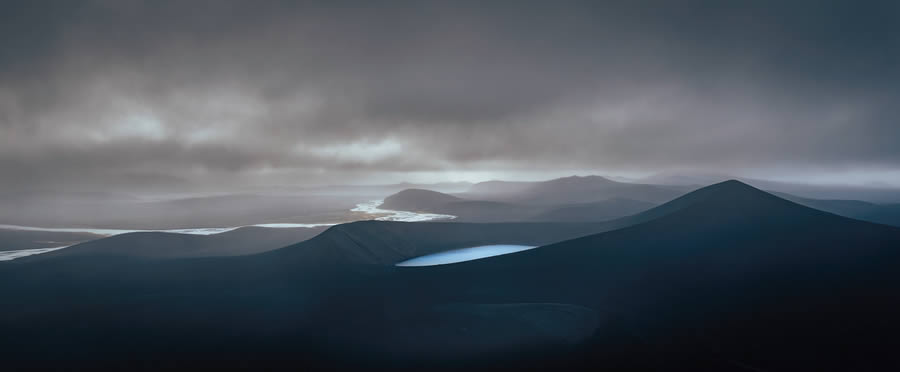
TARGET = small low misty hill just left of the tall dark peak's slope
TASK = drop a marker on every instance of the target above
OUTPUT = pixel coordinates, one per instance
(597, 211)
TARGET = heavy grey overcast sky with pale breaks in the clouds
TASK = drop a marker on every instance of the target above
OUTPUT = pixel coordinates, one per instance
(215, 95)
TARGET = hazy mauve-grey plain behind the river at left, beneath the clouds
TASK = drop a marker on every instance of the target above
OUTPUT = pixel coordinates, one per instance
(198, 212)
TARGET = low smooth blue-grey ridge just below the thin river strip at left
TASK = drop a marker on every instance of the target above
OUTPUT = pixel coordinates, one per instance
(242, 241)
